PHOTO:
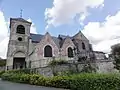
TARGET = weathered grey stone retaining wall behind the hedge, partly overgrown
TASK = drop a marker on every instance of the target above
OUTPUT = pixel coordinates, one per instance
(101, 67)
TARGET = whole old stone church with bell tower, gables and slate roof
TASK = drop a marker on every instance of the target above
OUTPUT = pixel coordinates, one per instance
(35, 50)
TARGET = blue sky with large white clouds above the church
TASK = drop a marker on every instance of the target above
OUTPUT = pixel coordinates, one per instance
(99, 20)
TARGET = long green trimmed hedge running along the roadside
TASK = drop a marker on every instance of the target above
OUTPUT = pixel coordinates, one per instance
(74, 82)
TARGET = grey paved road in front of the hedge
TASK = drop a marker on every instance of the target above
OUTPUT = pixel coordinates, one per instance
(15, 86)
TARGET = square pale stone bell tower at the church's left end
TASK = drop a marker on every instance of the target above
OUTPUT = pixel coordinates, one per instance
(17, 55)
